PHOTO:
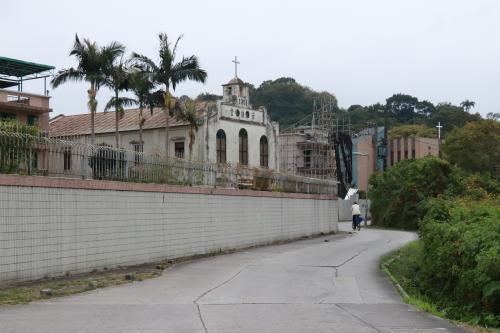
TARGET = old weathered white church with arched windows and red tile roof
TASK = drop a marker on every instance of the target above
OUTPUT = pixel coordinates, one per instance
(233, 131)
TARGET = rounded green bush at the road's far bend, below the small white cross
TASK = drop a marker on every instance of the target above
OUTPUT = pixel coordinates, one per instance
(398, 195)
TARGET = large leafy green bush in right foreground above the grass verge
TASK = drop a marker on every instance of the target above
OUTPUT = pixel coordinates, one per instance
(460, 268)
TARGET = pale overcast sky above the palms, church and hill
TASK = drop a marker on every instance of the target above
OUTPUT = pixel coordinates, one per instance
(361, 51)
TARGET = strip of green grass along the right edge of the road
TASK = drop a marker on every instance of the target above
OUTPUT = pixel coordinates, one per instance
(400, 267)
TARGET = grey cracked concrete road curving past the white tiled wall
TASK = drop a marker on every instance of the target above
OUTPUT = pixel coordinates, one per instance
(306, 286)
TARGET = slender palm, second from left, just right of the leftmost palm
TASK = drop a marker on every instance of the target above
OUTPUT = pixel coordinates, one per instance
(117, 78)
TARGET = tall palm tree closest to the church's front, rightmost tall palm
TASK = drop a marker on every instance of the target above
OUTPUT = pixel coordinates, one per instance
(169, 73)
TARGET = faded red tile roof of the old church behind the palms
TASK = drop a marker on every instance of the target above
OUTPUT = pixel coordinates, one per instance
(105, 121)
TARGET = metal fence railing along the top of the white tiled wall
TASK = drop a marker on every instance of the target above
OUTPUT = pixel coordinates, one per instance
(42, 156)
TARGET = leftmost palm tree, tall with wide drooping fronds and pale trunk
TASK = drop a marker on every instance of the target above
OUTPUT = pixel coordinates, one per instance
(92, 60)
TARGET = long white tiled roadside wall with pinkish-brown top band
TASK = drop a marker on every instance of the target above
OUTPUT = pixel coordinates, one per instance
(54, 226)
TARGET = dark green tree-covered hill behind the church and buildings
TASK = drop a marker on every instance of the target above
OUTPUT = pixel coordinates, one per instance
(288, 102)
